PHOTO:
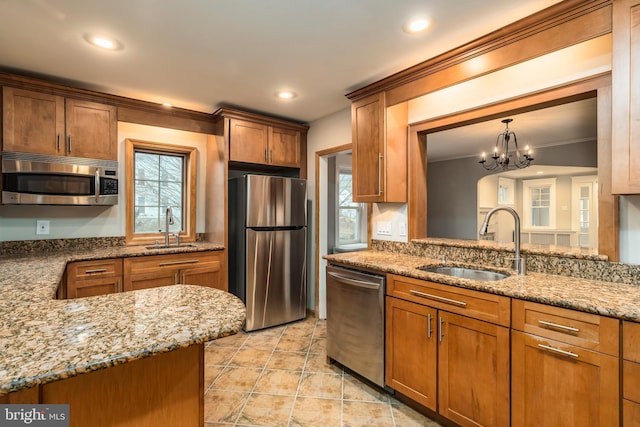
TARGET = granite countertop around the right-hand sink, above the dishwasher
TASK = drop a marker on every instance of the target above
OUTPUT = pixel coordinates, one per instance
(617, 300)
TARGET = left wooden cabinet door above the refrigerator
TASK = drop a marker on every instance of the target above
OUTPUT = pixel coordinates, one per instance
(248, 142)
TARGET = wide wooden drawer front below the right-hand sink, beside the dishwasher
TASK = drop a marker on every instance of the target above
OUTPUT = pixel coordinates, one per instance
(479, 305)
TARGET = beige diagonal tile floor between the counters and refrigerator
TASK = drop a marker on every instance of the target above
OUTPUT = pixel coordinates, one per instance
(280, 377)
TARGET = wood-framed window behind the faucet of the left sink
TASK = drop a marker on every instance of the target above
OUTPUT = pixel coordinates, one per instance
(159, 176)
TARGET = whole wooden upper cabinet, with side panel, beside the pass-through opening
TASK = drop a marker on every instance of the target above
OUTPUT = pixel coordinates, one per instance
(379, 150)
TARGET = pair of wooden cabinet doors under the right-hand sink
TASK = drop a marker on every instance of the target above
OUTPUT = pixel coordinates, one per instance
(452, 364)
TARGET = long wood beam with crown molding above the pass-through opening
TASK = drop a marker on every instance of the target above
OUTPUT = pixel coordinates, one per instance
(561, 25)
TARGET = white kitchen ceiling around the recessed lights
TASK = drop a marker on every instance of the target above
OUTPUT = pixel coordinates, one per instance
(201, 54)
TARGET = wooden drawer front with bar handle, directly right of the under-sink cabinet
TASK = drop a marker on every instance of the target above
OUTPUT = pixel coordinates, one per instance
(584, 330)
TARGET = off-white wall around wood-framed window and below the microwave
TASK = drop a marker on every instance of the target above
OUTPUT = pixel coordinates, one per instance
(19, 222)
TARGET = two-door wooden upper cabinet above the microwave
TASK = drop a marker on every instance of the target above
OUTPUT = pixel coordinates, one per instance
(42, 123)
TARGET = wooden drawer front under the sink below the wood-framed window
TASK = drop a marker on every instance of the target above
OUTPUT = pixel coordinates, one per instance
(155, 263)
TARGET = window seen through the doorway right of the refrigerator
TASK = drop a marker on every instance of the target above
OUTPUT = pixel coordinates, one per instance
(351, 215)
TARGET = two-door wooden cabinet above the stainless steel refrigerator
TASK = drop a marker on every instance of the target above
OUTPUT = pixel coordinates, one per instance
(251, 142)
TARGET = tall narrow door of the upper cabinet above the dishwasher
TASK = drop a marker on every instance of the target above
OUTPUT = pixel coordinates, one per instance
(367, 117)
